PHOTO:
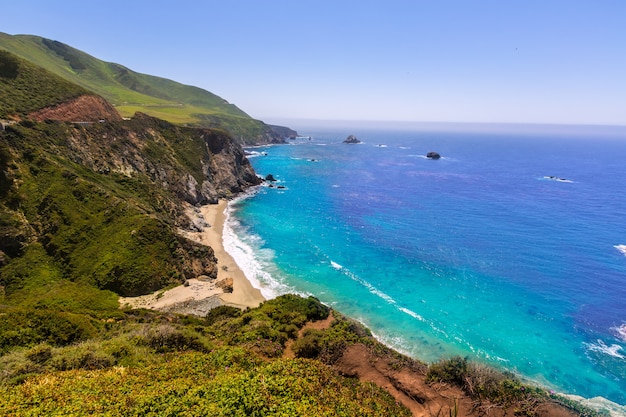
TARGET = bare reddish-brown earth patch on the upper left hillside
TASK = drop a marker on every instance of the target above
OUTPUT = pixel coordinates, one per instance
(86, 108)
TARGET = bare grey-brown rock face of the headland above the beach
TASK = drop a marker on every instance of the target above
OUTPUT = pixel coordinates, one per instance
(199, 166)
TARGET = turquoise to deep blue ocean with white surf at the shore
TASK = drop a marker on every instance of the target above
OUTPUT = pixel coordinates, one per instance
(509, 249)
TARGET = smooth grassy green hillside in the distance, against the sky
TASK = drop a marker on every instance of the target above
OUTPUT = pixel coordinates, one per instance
(130, 91)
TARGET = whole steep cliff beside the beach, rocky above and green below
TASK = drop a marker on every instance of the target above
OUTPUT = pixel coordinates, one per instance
(103, 203)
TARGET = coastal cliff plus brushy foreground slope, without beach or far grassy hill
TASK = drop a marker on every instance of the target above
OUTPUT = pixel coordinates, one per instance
(92, 207)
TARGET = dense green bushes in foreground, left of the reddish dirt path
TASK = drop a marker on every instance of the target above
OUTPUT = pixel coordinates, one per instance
(228, 364)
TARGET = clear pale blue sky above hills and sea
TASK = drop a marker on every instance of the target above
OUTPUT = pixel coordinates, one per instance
(531, 61)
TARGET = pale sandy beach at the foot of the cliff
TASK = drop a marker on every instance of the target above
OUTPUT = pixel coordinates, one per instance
(201, 295)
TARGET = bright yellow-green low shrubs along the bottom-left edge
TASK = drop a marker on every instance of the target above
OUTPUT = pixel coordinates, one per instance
(222, 383)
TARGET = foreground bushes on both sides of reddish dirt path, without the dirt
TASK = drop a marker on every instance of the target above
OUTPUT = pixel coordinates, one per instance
(140, 362)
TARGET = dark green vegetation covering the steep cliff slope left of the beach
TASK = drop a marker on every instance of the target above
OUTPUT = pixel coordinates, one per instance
(104, 230)
